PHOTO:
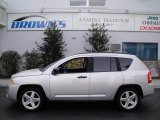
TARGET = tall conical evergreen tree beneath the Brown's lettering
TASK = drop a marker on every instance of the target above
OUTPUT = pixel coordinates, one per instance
(53, 45)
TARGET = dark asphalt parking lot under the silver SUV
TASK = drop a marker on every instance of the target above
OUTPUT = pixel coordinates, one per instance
(148, 110)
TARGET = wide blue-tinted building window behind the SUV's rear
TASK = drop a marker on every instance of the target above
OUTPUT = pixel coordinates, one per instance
(145, 51)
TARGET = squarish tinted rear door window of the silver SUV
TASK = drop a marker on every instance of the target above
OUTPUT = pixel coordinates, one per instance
(101, 64)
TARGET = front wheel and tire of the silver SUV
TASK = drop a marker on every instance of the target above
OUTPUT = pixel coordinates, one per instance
(31, 99)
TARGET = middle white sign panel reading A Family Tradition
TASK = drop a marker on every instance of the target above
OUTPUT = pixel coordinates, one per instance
(117, 22)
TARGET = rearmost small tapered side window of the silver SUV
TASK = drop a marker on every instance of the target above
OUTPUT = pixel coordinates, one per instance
(125, 63)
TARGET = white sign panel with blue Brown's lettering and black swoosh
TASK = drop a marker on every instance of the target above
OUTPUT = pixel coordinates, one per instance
(38, 21)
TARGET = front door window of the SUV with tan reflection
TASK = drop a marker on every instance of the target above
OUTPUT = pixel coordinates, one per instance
(75, 65)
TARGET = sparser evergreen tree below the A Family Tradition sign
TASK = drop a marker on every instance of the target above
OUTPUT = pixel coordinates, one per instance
(98, 39)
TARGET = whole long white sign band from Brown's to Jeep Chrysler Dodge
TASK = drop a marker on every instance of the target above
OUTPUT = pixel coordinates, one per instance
(83, 21)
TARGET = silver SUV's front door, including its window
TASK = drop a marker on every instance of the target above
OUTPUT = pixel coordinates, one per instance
(72, 80)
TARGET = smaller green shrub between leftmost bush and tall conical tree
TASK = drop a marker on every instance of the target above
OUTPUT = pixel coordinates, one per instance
(31, 60)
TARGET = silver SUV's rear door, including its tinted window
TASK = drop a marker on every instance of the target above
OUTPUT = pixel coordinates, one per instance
(105, 78)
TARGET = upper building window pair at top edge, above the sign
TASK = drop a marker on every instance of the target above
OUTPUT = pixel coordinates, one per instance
(87, 3)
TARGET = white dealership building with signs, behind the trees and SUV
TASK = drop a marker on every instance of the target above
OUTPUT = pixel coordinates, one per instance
(133, 24)
